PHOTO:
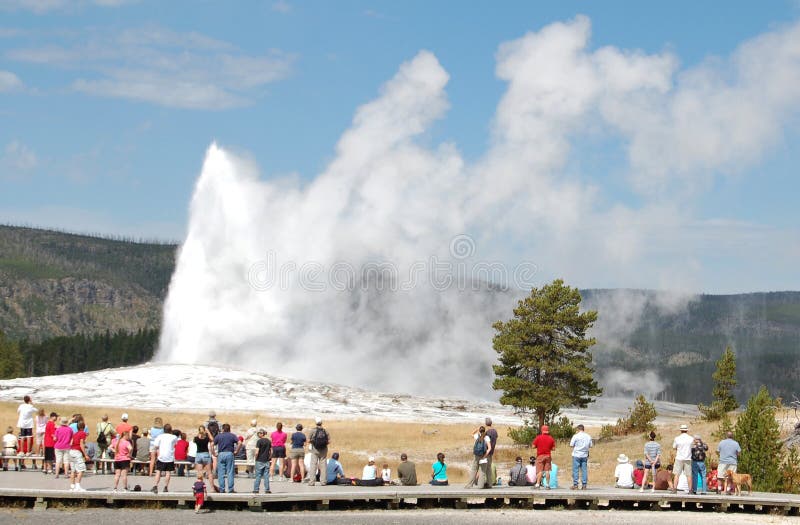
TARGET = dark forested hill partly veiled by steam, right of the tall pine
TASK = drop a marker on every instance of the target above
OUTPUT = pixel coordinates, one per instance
(682, 341)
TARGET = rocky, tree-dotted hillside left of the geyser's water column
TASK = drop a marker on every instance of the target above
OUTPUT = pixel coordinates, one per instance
(54, 283)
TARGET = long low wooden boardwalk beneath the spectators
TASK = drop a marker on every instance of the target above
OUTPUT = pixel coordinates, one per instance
(36, 490)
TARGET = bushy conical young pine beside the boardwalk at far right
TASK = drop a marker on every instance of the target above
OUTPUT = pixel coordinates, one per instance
(758, 435)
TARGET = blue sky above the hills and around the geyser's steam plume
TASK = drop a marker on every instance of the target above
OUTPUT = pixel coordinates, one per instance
(107, 107)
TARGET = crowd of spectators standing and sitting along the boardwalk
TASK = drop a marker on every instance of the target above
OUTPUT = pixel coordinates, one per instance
(64, 446)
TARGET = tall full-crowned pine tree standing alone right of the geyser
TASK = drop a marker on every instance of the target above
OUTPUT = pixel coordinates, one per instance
(545, 362)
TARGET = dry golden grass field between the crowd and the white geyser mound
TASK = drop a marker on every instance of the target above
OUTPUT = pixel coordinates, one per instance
(356, 440)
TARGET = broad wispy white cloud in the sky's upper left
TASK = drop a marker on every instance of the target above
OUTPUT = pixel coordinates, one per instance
(156, 65)
